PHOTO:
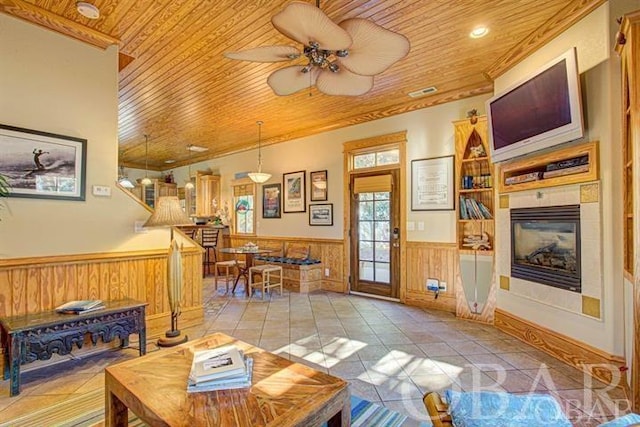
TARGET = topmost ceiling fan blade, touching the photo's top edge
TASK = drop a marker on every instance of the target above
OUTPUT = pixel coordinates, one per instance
(304, 23)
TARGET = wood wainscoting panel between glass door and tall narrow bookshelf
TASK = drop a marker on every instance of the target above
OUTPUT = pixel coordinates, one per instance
(431, 260)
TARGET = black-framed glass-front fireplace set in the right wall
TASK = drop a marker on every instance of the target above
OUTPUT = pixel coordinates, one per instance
(545, 245)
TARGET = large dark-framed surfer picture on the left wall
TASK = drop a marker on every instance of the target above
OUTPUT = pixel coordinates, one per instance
(43, 165)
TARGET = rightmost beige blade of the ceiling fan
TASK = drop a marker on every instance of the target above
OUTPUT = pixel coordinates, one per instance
(374, 48)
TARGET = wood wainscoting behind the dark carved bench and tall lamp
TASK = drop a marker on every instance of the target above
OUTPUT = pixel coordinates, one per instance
(31, 285)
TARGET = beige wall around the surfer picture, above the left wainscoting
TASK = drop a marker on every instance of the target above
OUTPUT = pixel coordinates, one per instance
(56, 84)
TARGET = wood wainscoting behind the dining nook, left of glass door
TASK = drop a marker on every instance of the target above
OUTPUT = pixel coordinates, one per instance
(329, 251)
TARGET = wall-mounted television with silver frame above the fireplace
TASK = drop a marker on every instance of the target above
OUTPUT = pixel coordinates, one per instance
(542, 110)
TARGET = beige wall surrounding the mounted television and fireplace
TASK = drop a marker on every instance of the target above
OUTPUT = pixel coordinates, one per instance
(562, 312)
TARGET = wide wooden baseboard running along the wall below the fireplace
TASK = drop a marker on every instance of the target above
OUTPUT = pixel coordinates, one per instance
(595, 362)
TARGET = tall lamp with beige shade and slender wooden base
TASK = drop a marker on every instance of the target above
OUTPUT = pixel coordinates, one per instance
(167, 214)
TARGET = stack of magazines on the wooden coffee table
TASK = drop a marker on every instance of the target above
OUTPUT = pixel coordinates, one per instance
(220, 368)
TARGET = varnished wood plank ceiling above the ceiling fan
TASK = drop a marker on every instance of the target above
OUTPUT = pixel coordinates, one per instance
(177, 87)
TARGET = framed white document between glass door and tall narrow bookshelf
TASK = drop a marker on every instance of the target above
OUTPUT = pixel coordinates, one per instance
(432, 184)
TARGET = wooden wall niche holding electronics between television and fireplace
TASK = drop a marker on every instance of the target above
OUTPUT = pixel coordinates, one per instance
(572, 164)
